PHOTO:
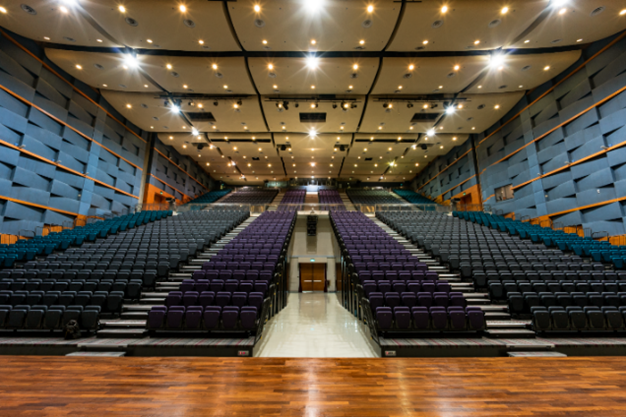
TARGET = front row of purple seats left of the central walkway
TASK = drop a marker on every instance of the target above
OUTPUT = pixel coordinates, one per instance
(202, 318)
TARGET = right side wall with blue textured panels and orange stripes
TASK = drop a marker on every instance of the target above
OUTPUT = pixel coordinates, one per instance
(561, 148)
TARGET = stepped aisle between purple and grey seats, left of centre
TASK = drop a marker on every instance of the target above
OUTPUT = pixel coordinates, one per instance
(132, 322)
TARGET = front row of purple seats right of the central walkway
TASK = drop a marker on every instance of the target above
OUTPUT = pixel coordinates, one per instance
(433, 319)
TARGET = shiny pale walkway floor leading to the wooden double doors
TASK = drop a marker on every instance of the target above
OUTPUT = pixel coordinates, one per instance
(314, 325)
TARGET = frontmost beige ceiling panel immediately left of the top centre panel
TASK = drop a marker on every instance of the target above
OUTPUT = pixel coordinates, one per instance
(163, 22)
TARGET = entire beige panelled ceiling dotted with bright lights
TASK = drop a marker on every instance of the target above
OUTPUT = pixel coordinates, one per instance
(337, 82)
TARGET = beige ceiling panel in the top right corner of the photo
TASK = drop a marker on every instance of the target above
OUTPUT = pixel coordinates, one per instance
(576, 22)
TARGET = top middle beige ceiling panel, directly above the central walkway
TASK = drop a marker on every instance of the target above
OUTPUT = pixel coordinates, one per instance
(338, 25)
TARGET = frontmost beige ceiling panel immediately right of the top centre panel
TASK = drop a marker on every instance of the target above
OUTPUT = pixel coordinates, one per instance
(464, 23)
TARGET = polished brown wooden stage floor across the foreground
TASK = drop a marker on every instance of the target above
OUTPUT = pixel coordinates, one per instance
(131, 386)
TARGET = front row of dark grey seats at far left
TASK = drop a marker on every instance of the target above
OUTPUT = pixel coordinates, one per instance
(41, 317)
